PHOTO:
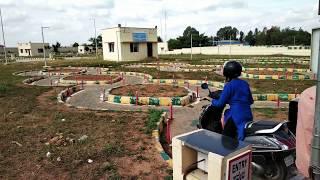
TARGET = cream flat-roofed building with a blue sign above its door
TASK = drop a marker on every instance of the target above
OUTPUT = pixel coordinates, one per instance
(129, 43)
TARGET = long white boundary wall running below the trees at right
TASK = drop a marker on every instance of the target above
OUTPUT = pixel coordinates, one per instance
(242, 50)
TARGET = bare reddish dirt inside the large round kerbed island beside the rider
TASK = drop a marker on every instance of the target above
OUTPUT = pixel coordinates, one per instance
(150, 90)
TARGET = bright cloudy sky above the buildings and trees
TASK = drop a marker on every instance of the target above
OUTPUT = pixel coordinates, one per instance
(71, 21)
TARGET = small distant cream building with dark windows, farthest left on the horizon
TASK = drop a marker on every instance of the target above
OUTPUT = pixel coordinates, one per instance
(32, 49)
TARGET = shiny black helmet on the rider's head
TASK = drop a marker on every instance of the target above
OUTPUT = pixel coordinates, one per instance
(232, 69)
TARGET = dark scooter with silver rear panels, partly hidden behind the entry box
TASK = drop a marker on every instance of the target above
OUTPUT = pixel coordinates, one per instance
(272, 142)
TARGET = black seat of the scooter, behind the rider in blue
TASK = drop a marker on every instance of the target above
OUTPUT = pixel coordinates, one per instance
(254, 126)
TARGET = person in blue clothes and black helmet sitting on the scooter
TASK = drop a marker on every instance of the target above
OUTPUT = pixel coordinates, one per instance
(237, 94)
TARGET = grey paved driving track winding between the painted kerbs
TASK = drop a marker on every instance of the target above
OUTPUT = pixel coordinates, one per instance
(185, 118)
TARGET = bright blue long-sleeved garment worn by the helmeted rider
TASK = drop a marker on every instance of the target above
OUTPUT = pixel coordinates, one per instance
(237, 94)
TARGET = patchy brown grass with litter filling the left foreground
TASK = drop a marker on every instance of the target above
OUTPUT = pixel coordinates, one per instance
(32, 124)
